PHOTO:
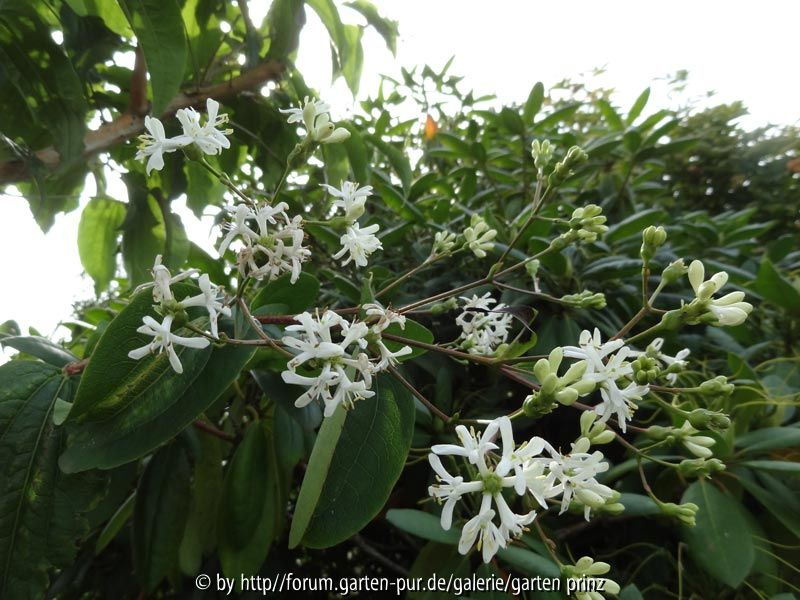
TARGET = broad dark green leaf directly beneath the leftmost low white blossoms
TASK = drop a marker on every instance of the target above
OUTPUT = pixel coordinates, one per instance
(152, 405)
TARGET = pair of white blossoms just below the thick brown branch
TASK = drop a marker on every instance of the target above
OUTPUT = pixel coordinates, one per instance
(206, 137)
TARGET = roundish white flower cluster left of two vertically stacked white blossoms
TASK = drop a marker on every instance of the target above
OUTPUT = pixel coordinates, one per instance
(275, 247)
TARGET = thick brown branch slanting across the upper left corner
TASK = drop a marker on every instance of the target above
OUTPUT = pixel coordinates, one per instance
(131, 123)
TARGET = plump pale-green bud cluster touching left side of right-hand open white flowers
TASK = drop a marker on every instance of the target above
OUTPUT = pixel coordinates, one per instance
(555, 389)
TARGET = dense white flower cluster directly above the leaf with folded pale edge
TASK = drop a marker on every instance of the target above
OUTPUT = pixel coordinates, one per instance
(336, 348)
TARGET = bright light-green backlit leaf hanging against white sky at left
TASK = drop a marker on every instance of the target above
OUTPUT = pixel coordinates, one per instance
(98, 232)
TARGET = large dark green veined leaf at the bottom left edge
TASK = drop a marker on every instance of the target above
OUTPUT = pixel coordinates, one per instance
(41, 508)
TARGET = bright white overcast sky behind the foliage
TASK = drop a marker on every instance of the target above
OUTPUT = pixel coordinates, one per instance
(740, 50)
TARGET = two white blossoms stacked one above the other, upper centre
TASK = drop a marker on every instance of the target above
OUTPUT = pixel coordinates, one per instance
(357, 243)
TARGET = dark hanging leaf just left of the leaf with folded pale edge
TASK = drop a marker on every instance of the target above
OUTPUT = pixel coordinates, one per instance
(248, 508)
